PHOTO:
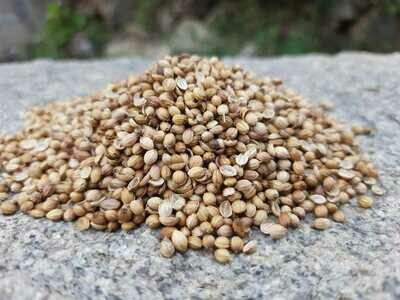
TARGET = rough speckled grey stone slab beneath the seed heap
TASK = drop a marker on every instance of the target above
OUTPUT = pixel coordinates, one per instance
(358, 260)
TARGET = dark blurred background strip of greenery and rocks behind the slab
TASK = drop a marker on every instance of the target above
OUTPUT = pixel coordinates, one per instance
(152, 28)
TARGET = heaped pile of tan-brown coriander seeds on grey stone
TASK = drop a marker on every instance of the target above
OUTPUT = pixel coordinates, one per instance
(200, 150)
